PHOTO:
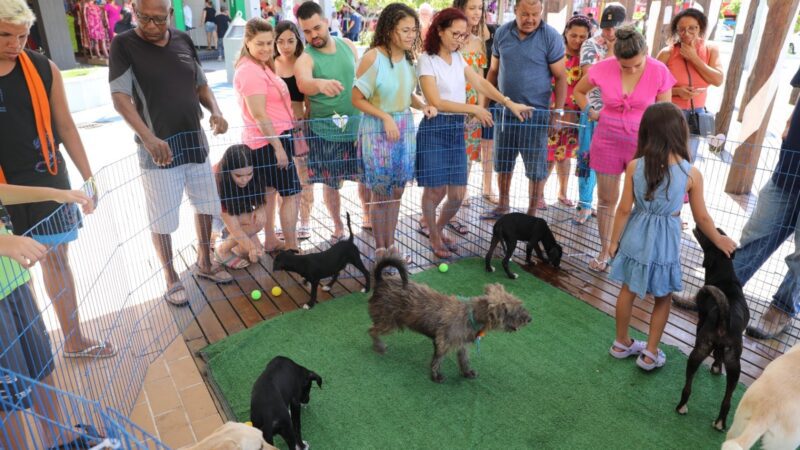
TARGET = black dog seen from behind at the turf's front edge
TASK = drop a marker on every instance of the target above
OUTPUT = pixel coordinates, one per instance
(276, 398)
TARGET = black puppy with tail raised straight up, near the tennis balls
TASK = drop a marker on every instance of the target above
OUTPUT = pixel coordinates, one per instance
(314, 267)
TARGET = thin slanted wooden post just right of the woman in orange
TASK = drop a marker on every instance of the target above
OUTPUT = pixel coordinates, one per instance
(736, 66)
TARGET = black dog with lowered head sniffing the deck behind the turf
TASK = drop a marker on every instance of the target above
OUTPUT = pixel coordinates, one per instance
(515, 227)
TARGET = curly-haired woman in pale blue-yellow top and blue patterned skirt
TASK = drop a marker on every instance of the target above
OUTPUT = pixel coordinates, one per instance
(384, 91)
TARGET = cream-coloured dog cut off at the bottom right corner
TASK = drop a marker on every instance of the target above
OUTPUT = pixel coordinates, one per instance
(770, 408)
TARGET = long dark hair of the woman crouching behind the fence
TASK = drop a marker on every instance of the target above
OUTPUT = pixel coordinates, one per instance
(238, 200)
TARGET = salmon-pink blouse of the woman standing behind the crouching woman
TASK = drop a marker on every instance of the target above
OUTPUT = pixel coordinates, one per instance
(253, 79)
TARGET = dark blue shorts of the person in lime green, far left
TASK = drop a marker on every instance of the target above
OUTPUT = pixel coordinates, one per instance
(24, 348)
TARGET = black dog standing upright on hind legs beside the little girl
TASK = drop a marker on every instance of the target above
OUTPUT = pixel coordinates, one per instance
(723, 316)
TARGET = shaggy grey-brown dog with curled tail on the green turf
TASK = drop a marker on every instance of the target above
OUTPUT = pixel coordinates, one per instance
(397, 303)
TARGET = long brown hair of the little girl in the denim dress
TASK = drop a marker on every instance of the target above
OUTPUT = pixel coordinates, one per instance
(662, 132)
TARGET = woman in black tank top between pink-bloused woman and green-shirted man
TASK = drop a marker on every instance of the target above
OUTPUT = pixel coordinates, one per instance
(288, 47)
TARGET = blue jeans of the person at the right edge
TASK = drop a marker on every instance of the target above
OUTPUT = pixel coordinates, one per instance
(773, 221)
